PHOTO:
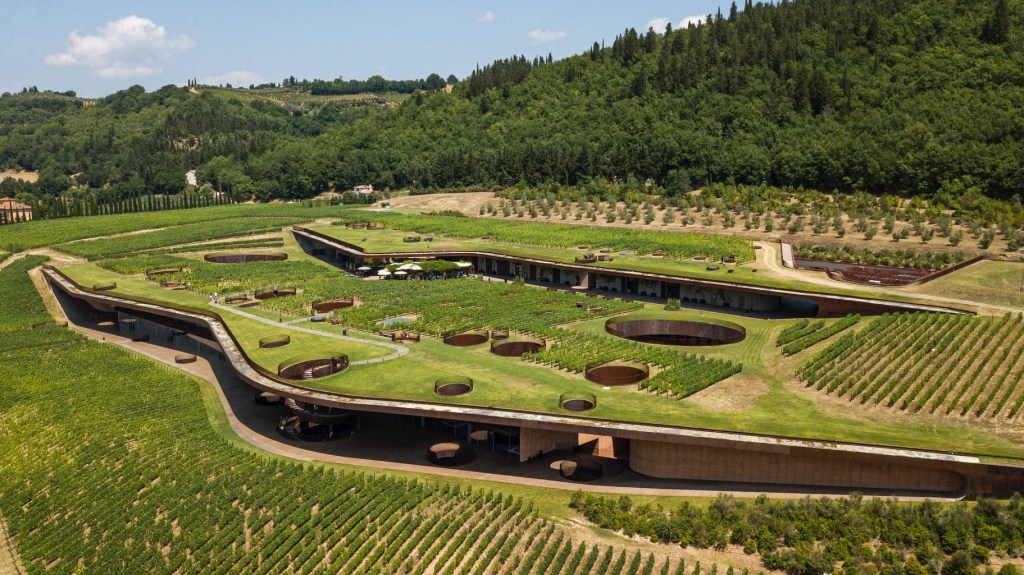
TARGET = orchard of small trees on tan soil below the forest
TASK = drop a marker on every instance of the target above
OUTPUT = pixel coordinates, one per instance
(827, 222)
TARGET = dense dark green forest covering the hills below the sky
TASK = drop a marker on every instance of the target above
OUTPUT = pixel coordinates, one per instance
(881, 97)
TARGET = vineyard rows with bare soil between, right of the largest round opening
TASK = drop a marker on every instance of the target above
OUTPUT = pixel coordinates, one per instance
(934, 364)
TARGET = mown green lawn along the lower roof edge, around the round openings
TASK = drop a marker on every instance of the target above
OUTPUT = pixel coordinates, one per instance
(518, 384)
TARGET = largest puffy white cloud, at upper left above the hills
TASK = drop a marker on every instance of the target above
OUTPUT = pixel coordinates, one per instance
(127, 48)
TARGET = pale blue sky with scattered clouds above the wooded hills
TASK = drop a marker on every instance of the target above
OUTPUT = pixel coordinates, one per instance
(99, 48)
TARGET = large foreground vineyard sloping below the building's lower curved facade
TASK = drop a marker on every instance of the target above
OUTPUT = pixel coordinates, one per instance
(111, 466)
